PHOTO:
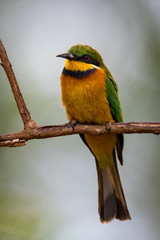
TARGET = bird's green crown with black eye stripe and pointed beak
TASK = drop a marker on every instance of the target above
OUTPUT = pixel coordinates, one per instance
(84, 54)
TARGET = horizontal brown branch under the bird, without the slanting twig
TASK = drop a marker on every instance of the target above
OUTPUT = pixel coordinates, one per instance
(67, 129)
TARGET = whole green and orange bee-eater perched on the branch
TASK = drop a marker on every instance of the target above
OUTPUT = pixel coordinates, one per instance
(90, 95)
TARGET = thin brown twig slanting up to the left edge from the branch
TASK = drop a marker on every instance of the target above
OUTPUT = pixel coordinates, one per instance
(25, 114)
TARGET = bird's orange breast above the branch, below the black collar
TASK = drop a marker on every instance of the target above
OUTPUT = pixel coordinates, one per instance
(85, 98)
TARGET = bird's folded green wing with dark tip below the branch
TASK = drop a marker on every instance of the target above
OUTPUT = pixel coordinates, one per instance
(114, 103)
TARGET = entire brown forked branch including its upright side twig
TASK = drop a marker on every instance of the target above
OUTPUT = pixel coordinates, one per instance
(33, 131)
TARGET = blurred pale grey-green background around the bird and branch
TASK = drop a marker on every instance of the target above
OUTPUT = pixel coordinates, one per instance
(48, 189)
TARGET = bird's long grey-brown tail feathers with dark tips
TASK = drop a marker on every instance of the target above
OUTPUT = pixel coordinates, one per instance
(111, 200)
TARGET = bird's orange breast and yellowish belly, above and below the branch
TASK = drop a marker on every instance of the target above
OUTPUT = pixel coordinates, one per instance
(85, 101)
